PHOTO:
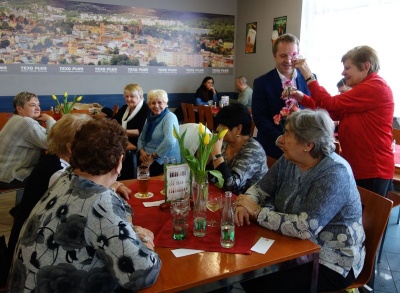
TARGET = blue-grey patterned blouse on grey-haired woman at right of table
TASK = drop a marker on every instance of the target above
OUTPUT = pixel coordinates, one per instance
(321, 204)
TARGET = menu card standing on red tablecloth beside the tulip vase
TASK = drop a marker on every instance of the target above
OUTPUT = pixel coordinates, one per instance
(177, 181)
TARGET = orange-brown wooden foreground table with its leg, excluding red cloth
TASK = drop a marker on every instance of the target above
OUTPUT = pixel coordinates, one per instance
(212, 270)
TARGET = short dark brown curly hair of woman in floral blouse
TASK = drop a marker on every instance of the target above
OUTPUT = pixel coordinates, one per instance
(97, 146)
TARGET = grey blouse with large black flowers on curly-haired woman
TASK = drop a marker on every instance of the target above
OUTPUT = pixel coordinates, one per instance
(78, 239)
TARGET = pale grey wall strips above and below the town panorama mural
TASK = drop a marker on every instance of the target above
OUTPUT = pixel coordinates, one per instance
(11, 84)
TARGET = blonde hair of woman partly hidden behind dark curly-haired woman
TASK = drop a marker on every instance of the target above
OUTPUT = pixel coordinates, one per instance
(63, 132)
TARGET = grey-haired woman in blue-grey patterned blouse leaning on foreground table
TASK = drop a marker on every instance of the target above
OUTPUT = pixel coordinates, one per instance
(309, 193)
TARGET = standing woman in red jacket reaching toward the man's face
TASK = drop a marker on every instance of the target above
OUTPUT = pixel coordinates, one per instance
(365, 113)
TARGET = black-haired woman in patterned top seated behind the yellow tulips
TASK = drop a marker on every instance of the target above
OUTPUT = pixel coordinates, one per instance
(240, 158)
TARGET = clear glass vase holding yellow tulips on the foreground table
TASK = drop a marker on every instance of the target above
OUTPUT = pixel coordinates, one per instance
(200, 196)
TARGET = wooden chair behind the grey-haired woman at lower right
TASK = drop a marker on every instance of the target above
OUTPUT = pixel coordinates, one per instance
(375, 215)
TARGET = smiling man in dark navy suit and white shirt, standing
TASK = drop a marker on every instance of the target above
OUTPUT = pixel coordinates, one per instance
(267, 91)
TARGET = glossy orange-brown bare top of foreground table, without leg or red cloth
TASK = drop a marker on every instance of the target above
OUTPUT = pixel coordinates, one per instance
(187, 272)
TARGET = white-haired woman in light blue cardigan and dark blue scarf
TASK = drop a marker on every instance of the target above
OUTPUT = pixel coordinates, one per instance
(157, 141)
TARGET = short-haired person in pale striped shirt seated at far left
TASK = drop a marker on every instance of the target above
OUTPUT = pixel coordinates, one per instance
(22, 140)
